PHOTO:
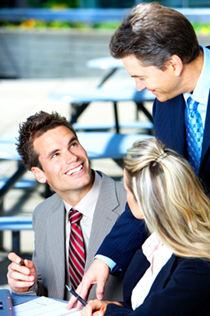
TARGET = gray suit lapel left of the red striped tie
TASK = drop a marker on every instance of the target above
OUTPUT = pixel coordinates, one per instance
(57, 245)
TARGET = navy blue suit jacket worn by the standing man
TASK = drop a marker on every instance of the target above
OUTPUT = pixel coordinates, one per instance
(169, 120)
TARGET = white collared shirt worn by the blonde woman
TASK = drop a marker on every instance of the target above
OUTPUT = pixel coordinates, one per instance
(158, 255)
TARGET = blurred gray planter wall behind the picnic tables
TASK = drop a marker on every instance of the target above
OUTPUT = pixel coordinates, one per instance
(50, 54)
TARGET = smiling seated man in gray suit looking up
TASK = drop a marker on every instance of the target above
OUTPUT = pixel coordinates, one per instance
(49, 147)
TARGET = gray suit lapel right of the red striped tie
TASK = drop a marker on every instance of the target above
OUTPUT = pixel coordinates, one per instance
(104, 217)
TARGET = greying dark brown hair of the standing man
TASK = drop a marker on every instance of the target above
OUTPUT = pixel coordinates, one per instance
(153, 33)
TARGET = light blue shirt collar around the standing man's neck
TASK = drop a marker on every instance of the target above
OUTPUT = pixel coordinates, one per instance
(201, 92)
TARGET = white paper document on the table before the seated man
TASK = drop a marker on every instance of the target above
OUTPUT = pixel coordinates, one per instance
(44, 306)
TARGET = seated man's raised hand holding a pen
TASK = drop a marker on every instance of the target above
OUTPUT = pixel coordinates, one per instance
(20, 277)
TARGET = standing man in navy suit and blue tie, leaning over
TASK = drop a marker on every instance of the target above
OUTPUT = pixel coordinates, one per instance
(160, 50)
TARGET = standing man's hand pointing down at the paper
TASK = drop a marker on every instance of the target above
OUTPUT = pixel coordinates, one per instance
(98, 274)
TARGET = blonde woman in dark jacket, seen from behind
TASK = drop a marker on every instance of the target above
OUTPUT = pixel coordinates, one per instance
(170, 274)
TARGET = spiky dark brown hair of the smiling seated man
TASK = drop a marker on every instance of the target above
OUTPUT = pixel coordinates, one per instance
(35, 126)
